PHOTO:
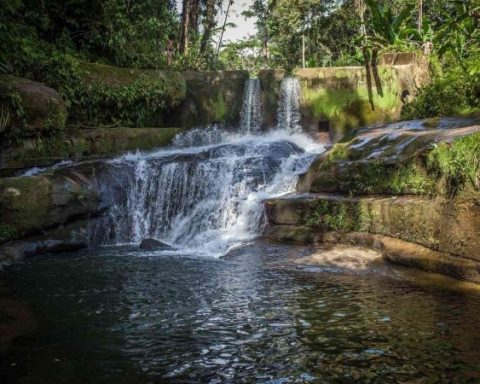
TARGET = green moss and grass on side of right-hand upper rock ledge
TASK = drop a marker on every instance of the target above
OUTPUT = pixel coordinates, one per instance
(448, 169)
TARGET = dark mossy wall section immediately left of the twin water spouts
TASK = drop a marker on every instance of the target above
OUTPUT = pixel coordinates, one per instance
(212, 97)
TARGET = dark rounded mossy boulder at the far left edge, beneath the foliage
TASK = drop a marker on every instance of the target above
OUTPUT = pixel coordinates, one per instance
(33, 108)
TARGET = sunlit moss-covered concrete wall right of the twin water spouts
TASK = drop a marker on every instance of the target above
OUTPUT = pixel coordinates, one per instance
(340, 99)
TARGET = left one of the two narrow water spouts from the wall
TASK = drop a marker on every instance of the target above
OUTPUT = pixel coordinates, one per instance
(251, 115)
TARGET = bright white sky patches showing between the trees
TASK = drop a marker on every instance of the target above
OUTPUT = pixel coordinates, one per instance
(244, 28)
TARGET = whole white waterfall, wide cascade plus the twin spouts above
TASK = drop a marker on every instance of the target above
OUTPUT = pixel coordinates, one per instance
(204, 195)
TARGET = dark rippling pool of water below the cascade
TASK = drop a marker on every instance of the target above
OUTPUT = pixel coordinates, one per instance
(119, 316)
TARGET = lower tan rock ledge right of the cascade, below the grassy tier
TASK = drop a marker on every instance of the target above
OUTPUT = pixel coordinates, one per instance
(448, 226)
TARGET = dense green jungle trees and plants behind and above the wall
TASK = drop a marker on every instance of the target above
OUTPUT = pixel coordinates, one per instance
(45, 40)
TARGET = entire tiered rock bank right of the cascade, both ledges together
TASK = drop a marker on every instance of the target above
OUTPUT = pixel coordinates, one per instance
(409, 189)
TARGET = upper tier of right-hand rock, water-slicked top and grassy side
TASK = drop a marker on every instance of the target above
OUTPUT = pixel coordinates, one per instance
(403, 158)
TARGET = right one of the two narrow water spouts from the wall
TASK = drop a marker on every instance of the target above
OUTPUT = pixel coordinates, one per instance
(288, 114)
